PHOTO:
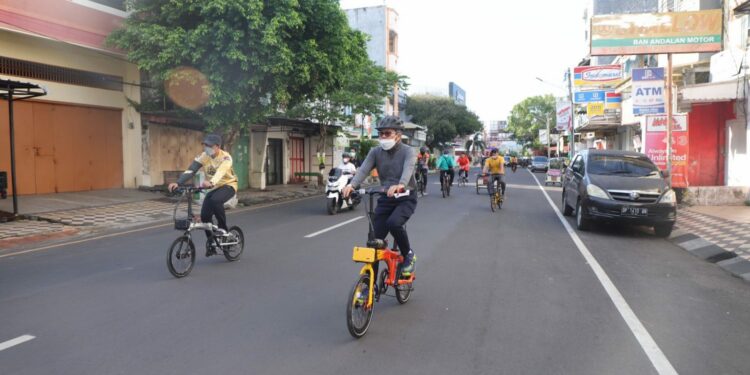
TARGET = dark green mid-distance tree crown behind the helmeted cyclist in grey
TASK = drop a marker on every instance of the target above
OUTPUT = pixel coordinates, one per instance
(445, 120)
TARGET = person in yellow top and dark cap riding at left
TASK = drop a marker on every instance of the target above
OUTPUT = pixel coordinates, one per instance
(220, 179)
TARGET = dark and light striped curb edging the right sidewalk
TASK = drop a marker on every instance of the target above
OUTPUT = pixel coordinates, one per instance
(710, 252)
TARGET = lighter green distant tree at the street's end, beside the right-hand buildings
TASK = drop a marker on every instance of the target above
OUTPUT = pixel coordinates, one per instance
(530, 115)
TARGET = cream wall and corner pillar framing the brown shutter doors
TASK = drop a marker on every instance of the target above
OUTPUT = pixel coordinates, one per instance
(25, 47)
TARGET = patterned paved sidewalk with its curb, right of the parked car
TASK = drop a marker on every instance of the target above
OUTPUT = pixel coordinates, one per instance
(718, 234)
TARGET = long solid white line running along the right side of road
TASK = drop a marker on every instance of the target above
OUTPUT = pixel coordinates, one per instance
(654, 353)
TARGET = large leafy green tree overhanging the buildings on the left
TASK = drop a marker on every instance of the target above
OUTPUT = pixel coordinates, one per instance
(259, 58)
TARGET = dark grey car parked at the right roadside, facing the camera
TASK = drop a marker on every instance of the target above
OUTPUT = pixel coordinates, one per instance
(618, 186)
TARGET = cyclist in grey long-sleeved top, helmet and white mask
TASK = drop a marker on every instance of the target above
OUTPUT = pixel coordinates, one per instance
(395, 163)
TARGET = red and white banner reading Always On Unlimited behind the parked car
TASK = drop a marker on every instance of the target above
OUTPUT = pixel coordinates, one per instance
(656, 145)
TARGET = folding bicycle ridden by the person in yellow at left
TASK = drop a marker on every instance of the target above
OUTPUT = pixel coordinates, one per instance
(181, 254)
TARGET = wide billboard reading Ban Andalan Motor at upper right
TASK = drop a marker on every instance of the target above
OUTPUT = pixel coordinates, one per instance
(654, 33)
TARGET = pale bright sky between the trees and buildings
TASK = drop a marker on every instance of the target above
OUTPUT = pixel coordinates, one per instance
(493, 49)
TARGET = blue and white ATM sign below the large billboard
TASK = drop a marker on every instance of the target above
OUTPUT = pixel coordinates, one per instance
(648, 91)
